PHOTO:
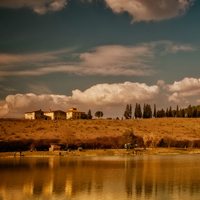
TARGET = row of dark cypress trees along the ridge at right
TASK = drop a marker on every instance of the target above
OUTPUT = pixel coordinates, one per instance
(147, 112)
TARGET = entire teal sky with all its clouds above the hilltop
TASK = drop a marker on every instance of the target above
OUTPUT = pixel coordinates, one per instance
(98, 55)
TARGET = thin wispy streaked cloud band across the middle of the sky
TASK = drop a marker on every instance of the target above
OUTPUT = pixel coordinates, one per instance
(111, 60)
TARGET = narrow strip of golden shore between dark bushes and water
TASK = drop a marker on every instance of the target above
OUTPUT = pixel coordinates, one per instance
(101, 152)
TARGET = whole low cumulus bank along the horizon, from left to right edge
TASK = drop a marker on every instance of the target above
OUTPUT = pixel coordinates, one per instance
(110, 98)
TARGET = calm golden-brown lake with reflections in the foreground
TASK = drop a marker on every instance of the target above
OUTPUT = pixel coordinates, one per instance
(101, 178)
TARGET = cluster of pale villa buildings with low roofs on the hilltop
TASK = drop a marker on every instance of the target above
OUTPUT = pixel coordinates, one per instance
(54, 114)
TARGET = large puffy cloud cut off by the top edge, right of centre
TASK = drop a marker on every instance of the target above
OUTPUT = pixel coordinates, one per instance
(147, 10)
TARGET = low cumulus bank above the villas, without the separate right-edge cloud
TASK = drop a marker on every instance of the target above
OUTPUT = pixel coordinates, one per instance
(110, 97)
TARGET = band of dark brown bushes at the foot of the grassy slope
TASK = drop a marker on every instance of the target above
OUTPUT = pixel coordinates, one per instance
(97, 143)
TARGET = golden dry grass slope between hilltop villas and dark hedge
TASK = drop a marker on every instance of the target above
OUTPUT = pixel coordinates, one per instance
(175, 128)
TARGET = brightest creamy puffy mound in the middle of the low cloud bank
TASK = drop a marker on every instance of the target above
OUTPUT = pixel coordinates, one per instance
(118, 93)
